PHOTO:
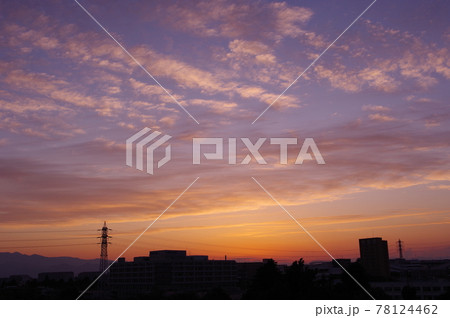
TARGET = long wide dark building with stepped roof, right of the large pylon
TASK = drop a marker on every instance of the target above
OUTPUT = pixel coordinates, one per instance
(173, 271)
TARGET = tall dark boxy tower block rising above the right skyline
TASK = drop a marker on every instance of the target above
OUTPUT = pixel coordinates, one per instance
(374, 256)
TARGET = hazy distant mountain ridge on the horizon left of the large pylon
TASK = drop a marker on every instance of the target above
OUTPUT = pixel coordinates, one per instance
(21, 264)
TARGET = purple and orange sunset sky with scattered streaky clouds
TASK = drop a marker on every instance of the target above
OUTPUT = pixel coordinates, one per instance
(376, 104)
